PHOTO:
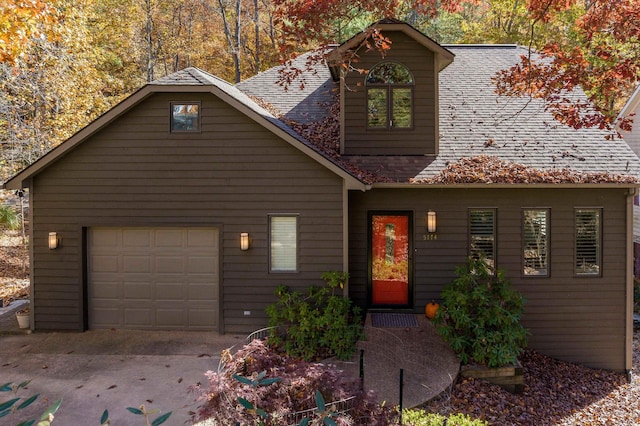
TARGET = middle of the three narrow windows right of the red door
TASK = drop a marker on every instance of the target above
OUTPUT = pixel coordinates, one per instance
(535, 242)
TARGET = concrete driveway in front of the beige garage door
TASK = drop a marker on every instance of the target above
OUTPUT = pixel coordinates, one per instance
(110, 369)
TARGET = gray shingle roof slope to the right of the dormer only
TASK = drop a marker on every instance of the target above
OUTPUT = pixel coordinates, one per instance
(474, 120)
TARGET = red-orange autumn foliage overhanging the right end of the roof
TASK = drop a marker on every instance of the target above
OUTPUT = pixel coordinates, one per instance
(603, 58)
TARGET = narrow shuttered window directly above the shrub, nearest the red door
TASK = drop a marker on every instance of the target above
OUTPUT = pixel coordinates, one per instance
(482, 235)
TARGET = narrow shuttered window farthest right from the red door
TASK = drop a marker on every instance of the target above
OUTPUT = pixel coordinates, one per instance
(588, 235)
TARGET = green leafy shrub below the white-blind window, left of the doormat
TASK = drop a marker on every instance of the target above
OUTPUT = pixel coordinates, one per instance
(318, 323)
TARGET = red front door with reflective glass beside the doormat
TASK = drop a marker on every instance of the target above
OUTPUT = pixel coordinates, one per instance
(390, 260)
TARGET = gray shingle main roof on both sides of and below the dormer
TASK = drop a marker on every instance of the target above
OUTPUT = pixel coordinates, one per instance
(474, 121)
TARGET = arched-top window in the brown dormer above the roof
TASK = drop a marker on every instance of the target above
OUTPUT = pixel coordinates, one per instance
(389, 97)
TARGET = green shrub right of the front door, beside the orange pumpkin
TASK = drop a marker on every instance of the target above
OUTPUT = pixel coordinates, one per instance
(480, 316)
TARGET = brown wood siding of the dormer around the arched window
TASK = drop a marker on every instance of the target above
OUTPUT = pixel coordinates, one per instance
(419, 140)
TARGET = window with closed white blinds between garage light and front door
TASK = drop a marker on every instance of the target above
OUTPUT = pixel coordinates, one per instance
(283, 236)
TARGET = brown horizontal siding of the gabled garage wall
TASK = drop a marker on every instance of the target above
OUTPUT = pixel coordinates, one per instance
(231, 175)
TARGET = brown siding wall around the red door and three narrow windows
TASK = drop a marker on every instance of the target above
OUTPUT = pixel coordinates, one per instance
(581, 319)
